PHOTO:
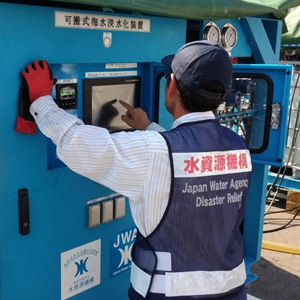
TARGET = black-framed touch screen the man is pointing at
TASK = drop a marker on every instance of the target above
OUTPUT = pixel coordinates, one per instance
(101, 101)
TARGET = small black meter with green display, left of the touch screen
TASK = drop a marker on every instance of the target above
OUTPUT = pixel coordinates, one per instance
(66, 95)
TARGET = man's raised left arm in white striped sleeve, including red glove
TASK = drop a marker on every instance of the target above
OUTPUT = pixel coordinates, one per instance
(88, 150)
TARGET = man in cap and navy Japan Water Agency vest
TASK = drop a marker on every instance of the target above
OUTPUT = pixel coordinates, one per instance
(187, 187)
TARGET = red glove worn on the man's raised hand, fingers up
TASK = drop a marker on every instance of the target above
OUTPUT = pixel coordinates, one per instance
(39, 79)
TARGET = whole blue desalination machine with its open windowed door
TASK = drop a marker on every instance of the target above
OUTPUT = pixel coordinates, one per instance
(61, 250)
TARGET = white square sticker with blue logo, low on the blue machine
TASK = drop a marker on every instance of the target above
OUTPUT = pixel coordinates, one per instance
(80, 269)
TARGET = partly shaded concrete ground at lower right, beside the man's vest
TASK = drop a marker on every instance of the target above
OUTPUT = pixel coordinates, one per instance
(279, 273)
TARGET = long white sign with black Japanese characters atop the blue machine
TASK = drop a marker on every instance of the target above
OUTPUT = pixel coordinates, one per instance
(101, 22)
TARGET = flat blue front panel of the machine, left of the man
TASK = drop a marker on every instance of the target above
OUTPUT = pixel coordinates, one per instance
(31, 265)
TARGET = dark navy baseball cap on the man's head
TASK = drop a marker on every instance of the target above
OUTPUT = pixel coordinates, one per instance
(198, 62)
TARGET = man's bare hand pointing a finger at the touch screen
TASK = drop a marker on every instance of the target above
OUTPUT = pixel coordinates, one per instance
(135, 117)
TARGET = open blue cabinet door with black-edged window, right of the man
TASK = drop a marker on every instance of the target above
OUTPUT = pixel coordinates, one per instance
(271, 91)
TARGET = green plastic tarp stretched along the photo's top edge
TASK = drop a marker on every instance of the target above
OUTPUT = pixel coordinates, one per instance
(193, 9)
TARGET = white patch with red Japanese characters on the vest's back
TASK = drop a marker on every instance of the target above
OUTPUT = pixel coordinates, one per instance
(211, 163)
